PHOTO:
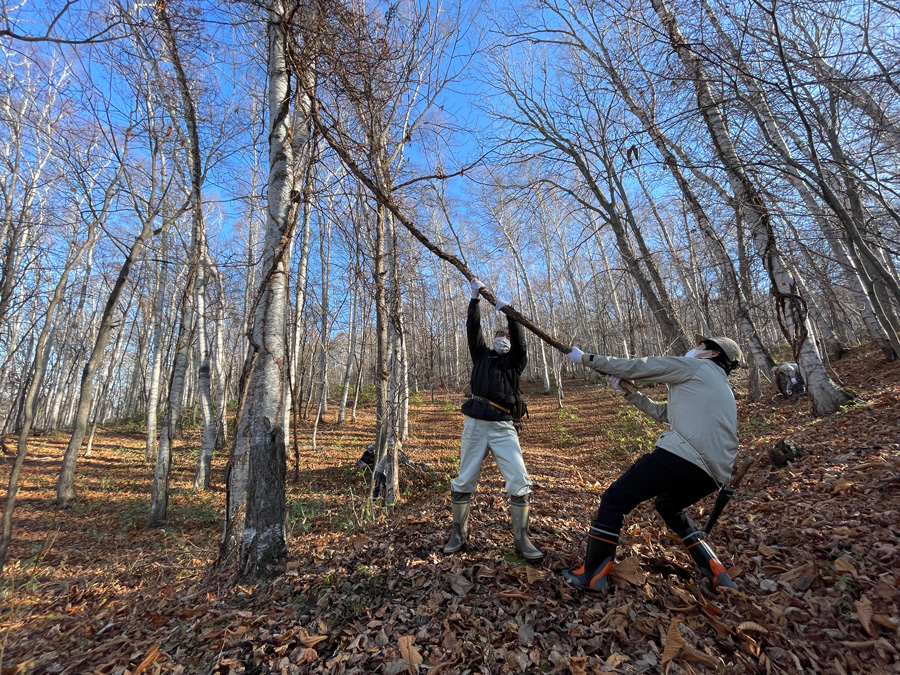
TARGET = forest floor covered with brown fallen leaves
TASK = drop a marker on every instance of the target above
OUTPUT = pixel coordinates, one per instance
(814, 548)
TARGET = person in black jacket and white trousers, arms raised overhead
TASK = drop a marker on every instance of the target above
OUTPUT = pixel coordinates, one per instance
(488, 427)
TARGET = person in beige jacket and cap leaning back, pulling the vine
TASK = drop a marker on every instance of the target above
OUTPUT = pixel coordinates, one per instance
(693, 457)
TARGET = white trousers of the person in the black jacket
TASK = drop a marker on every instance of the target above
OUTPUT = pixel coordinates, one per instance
(500, 439)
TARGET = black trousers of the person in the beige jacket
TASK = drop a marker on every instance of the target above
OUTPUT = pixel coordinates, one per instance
(675, 483)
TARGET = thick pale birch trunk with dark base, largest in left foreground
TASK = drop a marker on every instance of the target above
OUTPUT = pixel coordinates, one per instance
(254, 540)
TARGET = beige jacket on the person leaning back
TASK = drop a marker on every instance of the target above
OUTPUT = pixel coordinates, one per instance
(700, 412)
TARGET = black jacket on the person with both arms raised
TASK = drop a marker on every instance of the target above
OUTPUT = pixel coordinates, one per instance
(494, 376)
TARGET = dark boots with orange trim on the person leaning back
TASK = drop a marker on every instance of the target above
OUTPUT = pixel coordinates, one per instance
(601, 552)
